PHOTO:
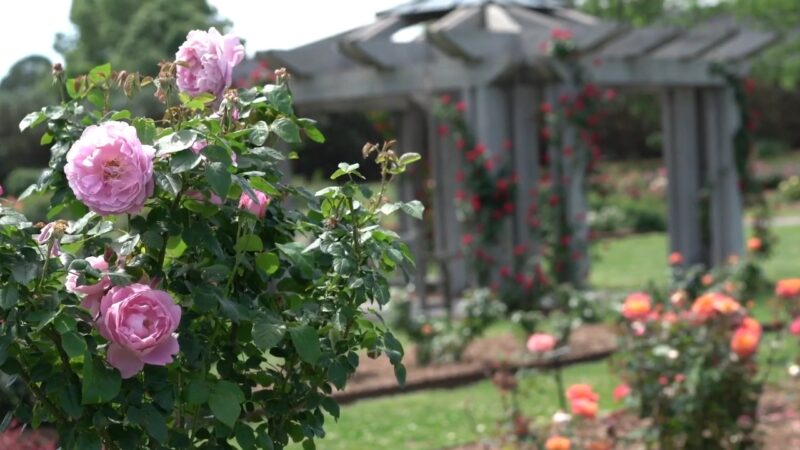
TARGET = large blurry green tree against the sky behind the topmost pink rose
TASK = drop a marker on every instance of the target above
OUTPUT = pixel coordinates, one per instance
(131, 34)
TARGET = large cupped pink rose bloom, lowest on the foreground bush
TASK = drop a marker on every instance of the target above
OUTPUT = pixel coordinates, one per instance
(139, 323)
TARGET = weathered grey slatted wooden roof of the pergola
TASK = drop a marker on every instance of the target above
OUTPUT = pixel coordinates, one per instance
(480, 42)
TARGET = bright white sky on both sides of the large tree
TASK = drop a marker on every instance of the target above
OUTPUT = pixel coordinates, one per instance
(298, 22)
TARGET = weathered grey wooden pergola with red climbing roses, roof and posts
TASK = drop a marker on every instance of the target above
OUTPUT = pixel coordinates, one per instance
(489, 54)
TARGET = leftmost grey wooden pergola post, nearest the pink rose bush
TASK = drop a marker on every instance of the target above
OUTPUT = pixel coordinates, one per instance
(412, 138)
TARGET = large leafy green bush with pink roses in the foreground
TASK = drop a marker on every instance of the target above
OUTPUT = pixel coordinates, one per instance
(184, 294)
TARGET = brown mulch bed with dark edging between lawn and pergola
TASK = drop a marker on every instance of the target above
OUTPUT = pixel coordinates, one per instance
(375, 377)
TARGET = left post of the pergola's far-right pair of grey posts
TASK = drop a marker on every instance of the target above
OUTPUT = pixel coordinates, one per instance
(681, 152)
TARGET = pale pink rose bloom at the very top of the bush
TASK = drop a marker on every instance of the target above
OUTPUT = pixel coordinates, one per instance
(207, 60)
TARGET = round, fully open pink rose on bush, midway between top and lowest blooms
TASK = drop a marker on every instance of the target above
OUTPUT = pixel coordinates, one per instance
(110, 170)
